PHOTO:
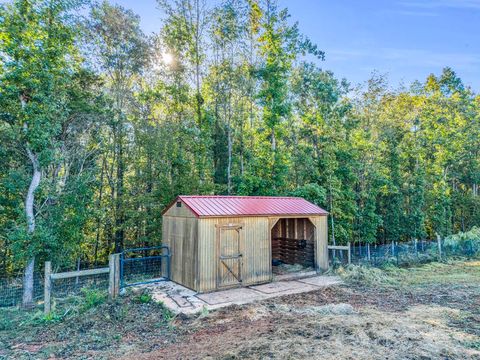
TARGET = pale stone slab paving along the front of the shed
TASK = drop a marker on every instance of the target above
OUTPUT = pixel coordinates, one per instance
(180, 299)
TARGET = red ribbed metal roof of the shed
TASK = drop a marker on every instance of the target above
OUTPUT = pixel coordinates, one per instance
(250, 206)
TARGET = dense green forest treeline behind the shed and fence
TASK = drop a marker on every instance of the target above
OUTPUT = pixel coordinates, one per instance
(101, 126)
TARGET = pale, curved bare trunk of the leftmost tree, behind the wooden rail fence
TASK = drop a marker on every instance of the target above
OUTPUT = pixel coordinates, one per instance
(27, 300)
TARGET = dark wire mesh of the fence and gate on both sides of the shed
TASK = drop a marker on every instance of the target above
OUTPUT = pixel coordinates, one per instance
(150, 265)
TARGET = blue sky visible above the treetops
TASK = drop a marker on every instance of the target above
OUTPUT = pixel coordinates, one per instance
(406, 39)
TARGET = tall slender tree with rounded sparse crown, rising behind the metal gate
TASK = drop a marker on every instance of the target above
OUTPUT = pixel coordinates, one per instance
(121, 52)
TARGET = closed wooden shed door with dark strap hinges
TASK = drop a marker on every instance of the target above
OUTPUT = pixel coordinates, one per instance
(229, 245)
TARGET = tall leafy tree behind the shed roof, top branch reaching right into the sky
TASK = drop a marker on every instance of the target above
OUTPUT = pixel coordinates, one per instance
(279, 45)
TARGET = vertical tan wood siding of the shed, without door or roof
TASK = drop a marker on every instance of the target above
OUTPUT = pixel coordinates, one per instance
(195, 254)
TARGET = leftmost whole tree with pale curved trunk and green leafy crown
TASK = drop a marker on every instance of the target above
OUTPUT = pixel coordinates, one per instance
(39, 62)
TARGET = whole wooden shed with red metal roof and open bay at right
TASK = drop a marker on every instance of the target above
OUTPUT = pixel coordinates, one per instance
(218, 242)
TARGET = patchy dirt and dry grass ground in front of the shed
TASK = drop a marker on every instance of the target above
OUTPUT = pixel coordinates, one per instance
(429, 312)
